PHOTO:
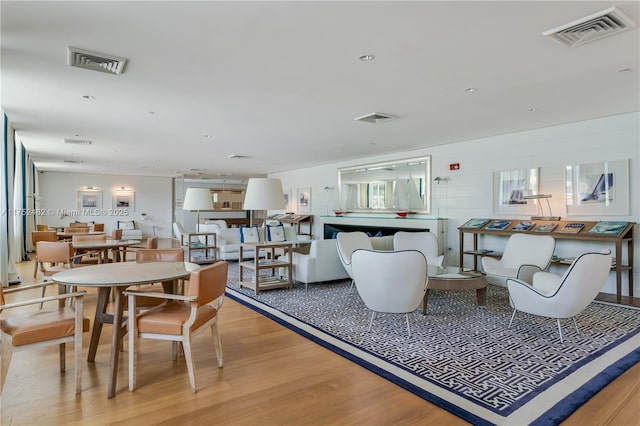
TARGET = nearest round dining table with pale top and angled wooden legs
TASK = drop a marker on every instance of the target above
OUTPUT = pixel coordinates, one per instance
(117, 277)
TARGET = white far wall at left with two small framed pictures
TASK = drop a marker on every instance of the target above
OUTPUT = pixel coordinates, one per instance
(152, 195)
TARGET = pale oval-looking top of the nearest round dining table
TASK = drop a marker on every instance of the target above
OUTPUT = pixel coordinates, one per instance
(124, 273)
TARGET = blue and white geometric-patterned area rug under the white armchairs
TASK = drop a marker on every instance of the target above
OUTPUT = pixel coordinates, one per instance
(462, 357)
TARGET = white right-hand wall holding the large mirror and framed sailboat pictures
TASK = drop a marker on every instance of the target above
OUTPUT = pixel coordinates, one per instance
(468, 192)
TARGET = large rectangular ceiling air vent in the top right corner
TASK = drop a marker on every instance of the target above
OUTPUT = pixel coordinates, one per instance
(590, 28)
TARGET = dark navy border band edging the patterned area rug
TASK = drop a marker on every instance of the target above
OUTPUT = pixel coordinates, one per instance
(559, 412)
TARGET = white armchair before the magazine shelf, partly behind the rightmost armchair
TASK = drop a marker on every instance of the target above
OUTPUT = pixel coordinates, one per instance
(523, 256)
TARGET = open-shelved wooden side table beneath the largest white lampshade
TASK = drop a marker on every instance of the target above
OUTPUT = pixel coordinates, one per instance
(266, 282)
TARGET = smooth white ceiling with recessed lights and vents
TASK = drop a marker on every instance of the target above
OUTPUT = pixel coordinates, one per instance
(281, 81)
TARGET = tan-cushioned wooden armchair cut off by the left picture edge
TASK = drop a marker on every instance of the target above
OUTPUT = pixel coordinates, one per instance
(56, 326)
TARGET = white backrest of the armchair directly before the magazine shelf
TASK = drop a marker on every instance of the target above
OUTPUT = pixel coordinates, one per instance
(526, 249)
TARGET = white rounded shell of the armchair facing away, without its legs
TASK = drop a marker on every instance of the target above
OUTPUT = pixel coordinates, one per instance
(390, 281)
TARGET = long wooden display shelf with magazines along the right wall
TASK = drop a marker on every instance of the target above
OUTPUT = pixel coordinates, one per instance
(624, 236)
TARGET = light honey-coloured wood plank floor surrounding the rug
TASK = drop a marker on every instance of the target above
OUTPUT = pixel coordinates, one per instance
(271, 376)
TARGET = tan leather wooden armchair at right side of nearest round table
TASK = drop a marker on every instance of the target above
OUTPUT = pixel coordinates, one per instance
(180, 318)
